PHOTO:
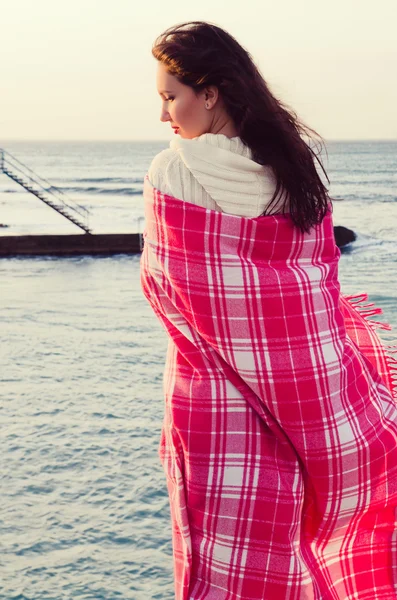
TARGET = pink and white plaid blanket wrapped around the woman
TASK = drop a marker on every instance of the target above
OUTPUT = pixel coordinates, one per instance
(279, 439)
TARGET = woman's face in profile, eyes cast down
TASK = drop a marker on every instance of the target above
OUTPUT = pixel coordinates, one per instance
(184, 110)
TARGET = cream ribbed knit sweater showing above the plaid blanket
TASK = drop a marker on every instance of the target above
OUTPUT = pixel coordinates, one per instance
(215, 172)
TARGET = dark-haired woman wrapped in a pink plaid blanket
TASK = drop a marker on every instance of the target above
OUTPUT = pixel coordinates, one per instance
(279, 439)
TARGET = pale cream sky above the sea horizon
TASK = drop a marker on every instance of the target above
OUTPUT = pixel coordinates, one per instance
(83, 69)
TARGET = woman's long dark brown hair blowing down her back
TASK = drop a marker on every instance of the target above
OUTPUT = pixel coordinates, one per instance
(200, 54)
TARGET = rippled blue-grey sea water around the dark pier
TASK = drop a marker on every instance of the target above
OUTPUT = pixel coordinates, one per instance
(84, 511)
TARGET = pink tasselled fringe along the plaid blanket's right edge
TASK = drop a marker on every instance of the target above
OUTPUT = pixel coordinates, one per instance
(368, 310)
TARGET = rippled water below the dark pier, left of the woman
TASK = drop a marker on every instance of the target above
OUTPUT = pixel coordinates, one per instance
(85, 511)
